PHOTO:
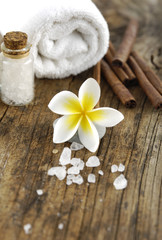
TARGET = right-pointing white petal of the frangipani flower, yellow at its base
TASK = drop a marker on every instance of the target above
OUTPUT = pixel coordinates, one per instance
(107, 117)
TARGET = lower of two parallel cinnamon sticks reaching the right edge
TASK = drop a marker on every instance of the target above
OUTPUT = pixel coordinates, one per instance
(153, 95)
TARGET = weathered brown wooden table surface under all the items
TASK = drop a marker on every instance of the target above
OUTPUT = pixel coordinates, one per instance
(89, 211)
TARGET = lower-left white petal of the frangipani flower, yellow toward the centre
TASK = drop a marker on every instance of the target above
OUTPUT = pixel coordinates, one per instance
(66, 127)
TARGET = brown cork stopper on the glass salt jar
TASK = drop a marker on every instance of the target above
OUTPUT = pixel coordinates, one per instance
(15, 40)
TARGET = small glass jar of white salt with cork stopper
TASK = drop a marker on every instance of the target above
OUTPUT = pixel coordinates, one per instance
(17, 75)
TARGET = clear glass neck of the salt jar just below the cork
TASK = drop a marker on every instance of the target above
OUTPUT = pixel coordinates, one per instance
(16, 54)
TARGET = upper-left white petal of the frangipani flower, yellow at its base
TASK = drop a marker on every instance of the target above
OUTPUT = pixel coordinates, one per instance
(65, 103)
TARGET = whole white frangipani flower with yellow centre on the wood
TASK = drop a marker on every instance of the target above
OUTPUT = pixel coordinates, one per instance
(80, 116)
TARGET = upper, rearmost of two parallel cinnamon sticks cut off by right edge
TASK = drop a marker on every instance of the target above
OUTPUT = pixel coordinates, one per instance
(152, 77)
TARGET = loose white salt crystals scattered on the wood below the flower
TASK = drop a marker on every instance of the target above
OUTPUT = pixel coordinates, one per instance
(73, 175)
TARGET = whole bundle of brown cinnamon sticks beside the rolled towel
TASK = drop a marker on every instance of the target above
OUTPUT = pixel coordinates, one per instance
(124, 68)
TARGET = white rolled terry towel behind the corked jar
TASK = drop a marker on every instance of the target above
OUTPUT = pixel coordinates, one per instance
(67, 36)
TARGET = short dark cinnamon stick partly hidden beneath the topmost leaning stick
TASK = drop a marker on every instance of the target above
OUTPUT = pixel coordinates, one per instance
(119, 71)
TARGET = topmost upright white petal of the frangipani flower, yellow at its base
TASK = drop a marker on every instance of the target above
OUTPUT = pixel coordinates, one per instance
(89, 94)
